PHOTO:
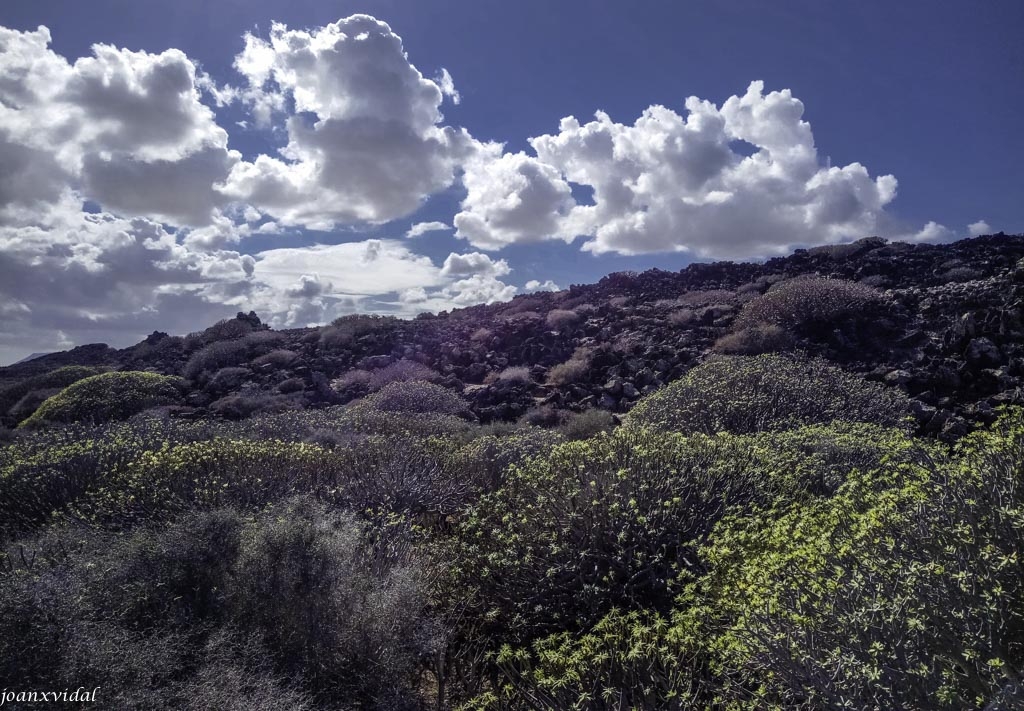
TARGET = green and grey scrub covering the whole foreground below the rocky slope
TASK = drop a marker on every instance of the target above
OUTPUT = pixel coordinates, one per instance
(762, 533)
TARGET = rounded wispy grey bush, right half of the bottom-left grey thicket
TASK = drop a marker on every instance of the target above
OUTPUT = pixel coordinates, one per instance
(348, 620)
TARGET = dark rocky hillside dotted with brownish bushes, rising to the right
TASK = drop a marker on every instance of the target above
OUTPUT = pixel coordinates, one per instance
(945, 323)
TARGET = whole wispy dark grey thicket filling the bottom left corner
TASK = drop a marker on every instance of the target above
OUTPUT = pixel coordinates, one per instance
(179, 617)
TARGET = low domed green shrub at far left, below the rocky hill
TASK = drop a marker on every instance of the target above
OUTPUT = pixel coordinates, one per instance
(108, 397)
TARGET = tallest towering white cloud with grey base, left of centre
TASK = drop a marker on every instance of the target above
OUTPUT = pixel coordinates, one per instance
(365, 141)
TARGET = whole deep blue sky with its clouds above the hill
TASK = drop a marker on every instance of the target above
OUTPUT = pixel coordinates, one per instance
(166, 165)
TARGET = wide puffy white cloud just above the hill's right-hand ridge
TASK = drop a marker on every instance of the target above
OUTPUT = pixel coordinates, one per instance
(675, 184)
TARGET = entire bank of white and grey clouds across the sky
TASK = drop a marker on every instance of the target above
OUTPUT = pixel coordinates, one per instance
(365, 142)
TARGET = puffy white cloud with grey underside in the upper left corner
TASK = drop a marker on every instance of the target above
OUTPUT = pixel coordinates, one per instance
(127, 130)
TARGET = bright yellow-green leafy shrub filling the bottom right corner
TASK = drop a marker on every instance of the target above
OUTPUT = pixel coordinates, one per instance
(902, 592)
